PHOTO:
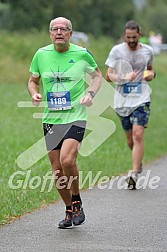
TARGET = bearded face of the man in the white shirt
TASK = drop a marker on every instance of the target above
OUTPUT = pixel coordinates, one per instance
(131, 38)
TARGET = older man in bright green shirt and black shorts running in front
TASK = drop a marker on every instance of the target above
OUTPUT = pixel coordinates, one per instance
(62, 68)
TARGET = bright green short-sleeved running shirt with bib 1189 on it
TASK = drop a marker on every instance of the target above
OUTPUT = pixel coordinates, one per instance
(63, 79)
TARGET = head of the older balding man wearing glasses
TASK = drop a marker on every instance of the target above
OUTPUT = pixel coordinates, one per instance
(60, 33)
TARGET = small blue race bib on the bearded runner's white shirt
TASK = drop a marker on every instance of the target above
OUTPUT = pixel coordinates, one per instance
(133, 88)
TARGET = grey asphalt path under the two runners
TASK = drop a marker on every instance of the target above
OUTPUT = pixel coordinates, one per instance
(116, 220)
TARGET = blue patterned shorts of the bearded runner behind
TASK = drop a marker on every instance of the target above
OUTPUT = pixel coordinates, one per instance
(139, 116)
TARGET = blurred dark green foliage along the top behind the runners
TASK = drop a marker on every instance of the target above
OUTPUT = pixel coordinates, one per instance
(96, 17)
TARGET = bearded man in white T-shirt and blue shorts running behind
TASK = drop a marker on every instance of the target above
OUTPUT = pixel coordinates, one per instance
(130, 68)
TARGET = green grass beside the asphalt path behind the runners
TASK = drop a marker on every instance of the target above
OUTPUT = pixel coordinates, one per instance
(19, 130)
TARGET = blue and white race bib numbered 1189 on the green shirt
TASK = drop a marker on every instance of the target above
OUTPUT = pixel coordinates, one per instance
(59, 100)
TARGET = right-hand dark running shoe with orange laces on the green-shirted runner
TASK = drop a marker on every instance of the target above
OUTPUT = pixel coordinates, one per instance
(78, 213)
